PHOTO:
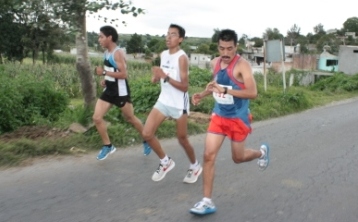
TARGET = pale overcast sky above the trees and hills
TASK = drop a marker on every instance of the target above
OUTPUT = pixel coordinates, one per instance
(252, 18)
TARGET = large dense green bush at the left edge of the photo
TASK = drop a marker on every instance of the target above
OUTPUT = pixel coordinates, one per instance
(28, 101)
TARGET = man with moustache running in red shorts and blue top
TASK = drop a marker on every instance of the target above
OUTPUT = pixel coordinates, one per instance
(232, 87)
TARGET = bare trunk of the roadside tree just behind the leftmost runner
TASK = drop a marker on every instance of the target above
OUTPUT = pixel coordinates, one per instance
(83, 65)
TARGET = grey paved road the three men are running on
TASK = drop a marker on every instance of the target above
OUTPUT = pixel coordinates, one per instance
(312, 177)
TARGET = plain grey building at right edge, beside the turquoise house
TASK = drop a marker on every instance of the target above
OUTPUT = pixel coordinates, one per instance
(348, 57)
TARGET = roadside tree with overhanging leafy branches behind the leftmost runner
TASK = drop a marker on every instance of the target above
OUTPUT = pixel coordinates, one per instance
(73, 14)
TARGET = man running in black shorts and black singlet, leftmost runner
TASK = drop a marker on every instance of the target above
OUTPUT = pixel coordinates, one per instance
(116, 90)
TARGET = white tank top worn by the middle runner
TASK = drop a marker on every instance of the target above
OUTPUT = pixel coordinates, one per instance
(169, 95)
